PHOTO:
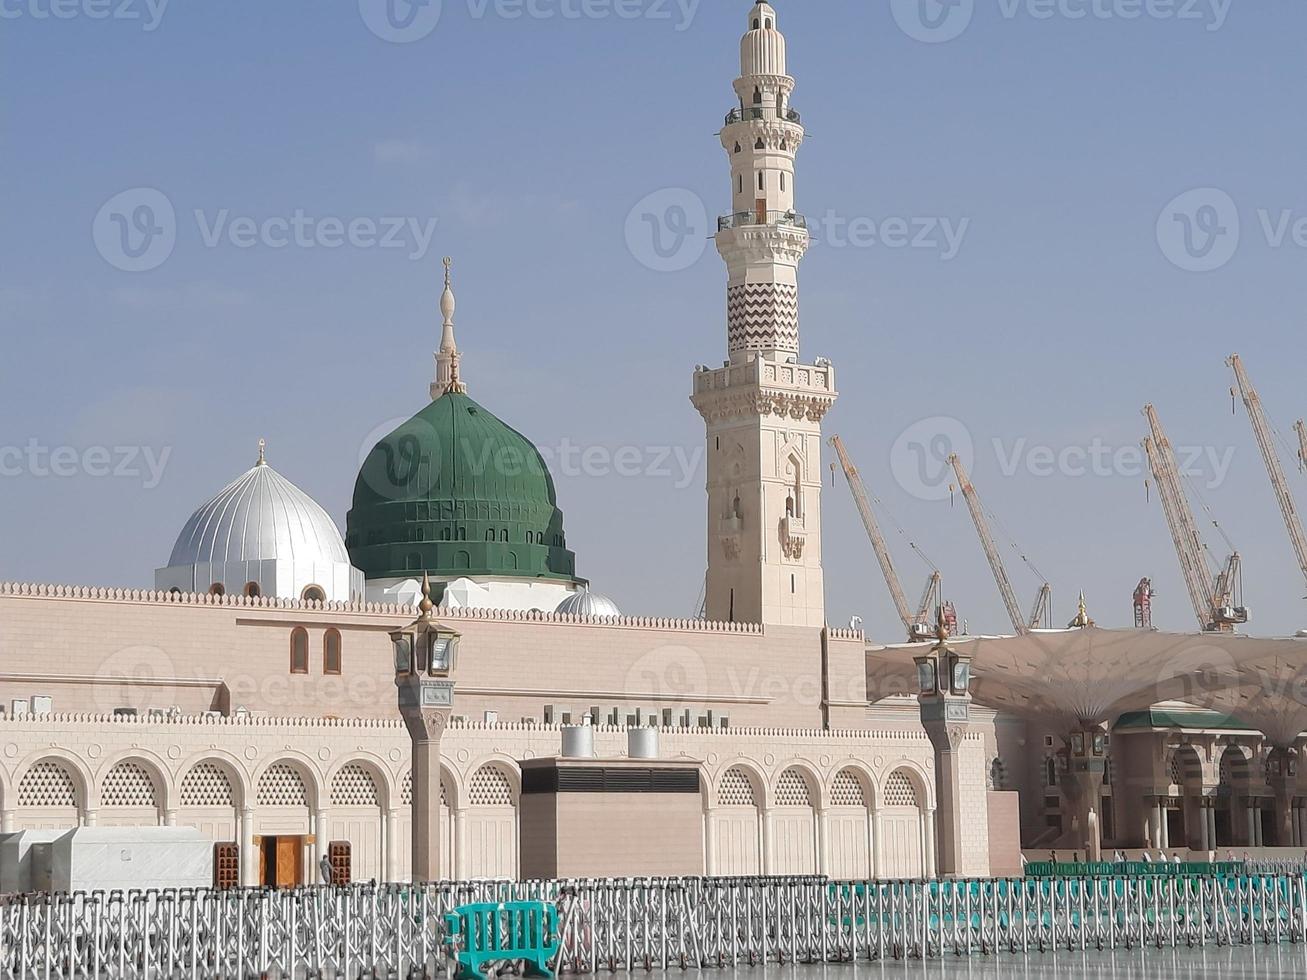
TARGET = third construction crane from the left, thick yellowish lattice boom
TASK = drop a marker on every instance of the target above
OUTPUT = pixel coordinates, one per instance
(1217, 606)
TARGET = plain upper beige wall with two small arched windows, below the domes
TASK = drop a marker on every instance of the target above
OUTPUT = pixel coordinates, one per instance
(100, 651)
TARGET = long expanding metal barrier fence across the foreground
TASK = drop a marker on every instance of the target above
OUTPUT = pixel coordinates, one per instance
(635, 924)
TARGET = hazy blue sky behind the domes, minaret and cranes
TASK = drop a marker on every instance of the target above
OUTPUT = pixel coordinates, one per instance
(1059, 140)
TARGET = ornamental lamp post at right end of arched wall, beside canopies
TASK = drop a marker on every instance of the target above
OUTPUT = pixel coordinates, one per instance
(944, 678)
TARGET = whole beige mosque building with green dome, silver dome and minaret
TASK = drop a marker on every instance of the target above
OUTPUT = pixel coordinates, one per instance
(252, 693)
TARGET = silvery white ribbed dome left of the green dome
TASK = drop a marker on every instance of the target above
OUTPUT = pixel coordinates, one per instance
(261, 517)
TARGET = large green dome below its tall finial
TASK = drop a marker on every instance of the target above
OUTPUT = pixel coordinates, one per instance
(454, 492)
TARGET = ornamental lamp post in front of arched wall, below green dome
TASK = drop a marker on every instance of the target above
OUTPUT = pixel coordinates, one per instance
(425, 655)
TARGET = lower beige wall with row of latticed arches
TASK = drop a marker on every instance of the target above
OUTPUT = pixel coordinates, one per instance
(303, 777)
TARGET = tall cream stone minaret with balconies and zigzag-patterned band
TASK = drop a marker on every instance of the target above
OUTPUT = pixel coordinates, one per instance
(764, 407)
